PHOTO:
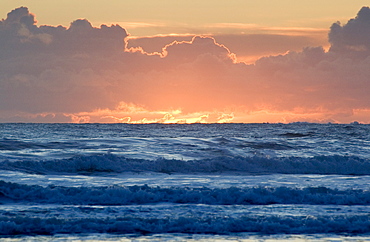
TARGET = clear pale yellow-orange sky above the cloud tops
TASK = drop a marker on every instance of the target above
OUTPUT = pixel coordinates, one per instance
(145, 17)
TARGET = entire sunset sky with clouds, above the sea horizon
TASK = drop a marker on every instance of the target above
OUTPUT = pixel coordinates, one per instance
(167, 61)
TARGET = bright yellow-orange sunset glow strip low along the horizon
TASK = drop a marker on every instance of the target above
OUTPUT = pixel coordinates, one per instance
(135, 114)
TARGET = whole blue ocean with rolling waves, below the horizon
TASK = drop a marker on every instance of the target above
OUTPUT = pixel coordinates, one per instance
(185, 182)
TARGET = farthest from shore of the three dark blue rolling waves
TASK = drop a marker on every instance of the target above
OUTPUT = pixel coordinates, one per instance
(335, 165)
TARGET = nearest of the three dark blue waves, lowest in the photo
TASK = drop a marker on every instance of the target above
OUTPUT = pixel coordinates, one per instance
(19, 225)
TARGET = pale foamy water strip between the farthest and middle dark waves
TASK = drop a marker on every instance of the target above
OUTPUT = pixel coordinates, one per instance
(339, 182)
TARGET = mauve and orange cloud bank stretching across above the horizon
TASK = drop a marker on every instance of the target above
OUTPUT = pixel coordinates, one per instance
(83, 73)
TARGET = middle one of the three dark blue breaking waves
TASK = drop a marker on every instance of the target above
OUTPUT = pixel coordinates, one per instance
(128, 195)
